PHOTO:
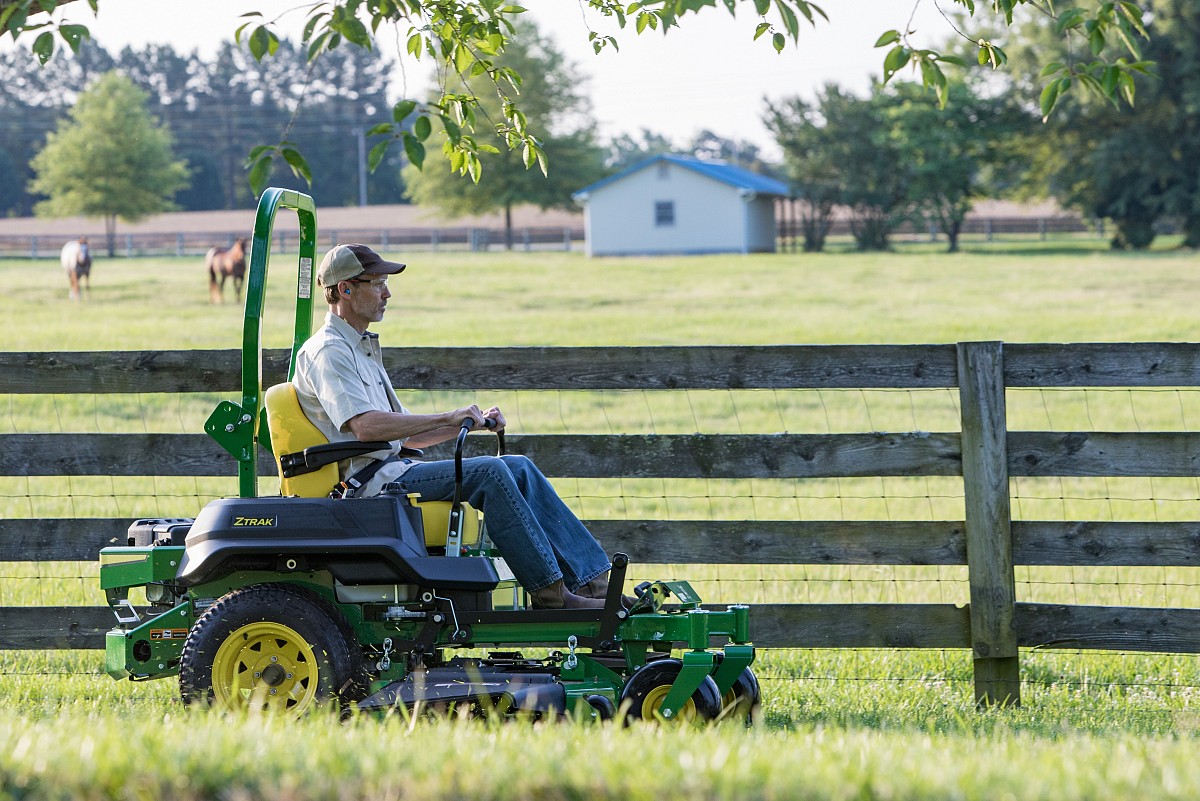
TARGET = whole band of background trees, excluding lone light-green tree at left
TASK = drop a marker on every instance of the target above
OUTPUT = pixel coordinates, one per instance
(891, 158)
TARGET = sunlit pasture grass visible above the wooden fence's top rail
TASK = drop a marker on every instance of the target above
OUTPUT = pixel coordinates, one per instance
(1069, 291)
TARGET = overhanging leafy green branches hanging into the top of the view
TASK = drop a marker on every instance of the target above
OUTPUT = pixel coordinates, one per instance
(467, 38)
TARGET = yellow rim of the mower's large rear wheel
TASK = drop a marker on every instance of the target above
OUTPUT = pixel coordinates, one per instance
(266, 666)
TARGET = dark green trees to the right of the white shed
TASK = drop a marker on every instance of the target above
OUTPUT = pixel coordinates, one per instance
(895, 156)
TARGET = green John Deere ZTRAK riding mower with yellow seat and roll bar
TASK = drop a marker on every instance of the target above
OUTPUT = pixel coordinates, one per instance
(291, 603)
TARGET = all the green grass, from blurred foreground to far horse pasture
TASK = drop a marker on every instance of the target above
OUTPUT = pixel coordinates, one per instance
(845, 725)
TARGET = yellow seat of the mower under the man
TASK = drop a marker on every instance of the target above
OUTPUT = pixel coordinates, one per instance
(292, 432)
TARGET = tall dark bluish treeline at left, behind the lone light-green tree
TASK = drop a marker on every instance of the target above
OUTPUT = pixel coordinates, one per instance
(217, 111)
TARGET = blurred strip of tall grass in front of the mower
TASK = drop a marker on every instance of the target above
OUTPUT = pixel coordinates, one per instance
(920, 745)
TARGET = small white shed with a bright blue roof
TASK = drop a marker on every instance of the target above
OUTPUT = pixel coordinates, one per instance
(673, 204)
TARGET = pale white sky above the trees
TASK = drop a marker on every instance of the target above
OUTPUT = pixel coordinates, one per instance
(707, 75)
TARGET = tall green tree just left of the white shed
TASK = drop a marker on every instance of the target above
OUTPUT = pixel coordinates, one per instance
(553, 95)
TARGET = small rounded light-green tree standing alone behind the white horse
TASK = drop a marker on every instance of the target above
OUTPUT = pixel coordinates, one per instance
(111, 159)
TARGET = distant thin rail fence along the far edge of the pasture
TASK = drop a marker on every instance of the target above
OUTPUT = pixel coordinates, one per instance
(547, 238)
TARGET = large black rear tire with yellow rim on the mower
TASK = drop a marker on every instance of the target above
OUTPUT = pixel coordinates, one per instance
(273, 648)
